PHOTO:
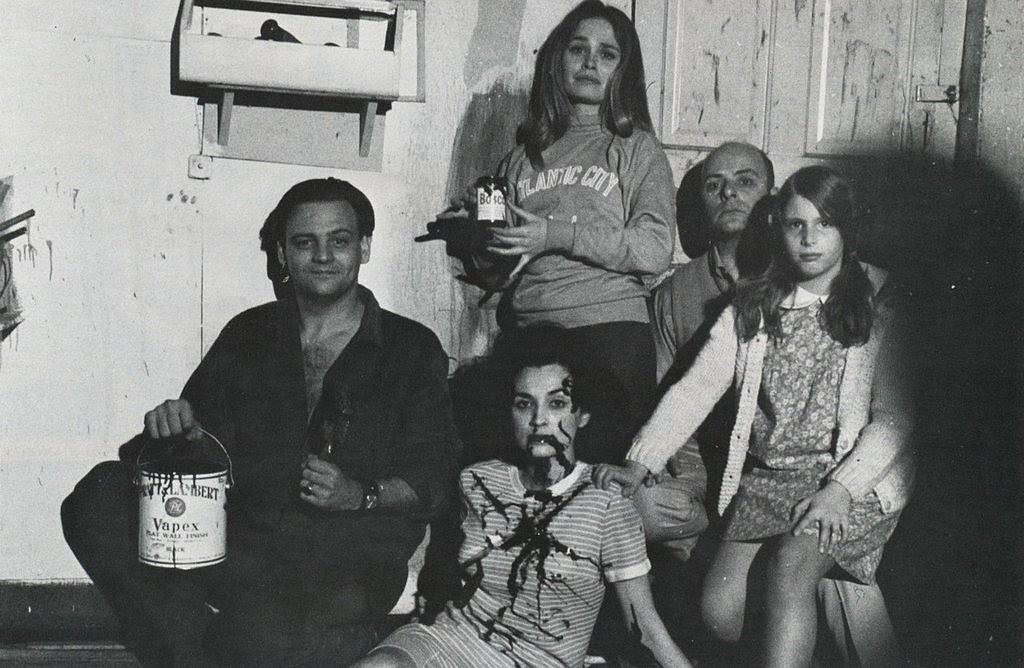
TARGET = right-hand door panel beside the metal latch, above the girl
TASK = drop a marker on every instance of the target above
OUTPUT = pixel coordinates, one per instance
(876, 65)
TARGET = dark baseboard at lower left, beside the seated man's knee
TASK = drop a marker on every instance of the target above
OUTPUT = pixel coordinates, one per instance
(58, 612)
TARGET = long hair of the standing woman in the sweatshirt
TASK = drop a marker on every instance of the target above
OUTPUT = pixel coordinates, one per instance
(625, 106)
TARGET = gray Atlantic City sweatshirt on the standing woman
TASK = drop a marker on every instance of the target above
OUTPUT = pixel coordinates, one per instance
(613, 205)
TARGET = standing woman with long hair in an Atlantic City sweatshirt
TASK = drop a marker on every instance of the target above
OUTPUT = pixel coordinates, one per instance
(594, 200)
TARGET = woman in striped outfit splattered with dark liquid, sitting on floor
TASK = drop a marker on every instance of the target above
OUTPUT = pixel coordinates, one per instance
(541, 541)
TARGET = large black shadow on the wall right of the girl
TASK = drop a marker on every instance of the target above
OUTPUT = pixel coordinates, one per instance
(953, 570)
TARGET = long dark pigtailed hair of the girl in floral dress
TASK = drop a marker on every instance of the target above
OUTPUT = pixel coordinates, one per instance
(847, 314)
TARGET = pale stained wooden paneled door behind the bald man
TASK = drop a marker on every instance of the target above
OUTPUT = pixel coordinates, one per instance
(807, 79)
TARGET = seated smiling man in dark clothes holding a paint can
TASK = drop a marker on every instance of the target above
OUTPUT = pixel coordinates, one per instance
(336, 416)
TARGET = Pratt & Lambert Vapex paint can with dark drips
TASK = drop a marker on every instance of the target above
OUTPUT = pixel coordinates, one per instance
(183, 523)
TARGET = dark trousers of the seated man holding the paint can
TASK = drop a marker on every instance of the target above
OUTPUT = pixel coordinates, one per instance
(272, 609)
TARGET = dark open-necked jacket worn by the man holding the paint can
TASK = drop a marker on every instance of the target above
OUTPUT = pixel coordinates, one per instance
(385, 408)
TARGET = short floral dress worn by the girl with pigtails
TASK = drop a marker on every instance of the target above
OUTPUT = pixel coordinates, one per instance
(793, 445)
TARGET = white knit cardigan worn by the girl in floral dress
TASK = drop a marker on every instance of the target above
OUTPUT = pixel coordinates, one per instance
(875, 411)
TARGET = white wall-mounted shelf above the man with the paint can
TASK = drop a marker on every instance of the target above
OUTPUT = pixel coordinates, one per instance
(318, 101)
